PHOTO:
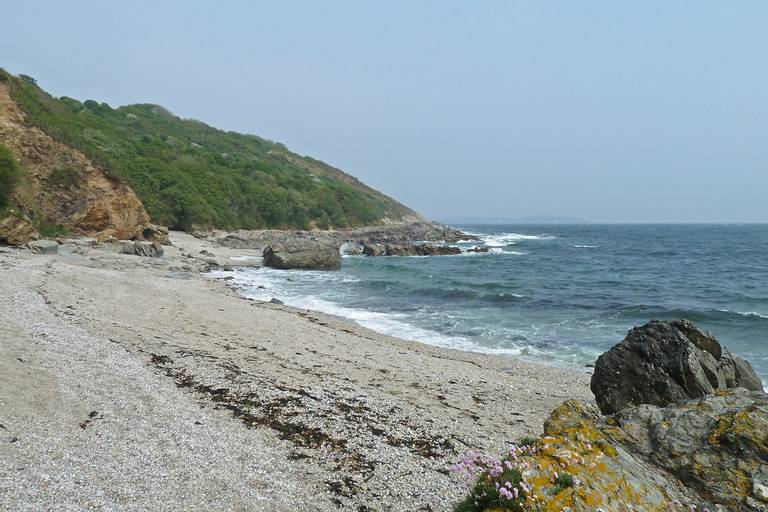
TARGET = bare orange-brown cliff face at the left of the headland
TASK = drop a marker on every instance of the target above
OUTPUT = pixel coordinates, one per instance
(62, 186)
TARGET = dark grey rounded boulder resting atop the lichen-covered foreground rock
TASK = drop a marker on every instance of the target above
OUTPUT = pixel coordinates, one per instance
(665, 362)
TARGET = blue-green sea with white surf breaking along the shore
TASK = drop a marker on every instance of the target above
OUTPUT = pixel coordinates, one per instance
(556, 293)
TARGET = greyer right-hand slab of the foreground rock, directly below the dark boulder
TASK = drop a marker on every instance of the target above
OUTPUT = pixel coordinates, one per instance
(716, 445)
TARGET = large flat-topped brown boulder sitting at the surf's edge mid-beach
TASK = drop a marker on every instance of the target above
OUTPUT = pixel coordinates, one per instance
(303, 254)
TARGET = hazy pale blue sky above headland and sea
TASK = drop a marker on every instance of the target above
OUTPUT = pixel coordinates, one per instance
(610, 111)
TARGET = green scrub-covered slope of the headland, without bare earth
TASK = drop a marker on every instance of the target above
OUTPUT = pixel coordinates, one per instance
(187, 173)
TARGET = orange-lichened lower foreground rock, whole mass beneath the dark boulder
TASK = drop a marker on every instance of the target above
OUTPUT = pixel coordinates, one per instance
(710, 452)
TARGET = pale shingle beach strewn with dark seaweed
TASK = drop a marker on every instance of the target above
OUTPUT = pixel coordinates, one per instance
(131, 383)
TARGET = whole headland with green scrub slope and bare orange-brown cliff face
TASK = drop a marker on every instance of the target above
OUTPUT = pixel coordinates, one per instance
(185, 174)
